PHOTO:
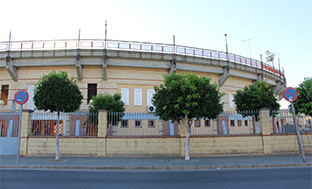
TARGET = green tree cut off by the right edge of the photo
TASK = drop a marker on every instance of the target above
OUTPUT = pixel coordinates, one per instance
(303, 104)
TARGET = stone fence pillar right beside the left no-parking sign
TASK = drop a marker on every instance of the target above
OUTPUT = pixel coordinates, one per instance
(25, 130)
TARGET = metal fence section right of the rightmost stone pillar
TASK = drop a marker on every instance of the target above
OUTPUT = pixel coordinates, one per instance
(282, 122)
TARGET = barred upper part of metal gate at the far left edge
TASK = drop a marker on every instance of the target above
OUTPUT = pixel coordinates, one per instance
(9, 124)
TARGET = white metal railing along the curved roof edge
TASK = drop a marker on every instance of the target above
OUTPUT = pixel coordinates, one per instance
(71, 44)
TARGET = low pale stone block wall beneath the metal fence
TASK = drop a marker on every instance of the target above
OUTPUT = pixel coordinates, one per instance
(163, 147)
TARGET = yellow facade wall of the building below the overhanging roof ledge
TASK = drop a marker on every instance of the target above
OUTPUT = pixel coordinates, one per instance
(118, 77)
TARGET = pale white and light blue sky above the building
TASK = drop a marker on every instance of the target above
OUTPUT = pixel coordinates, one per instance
(252, 26)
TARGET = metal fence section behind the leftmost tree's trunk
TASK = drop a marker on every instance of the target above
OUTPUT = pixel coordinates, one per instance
(70, 124)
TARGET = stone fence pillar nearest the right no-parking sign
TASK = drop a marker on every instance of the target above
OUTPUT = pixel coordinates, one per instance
(265, 129)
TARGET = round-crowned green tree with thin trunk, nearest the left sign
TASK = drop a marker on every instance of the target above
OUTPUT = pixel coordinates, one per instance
(57, 92)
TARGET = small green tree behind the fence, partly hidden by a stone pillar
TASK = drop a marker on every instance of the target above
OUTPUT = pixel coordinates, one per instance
(112, 103)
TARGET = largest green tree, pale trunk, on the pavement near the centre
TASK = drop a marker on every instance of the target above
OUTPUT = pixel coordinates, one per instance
(184, 97)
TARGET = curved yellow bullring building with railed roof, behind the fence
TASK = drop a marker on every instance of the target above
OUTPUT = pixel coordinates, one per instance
(129, 68)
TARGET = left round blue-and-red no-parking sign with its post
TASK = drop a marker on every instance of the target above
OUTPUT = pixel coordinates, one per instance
(20, 97)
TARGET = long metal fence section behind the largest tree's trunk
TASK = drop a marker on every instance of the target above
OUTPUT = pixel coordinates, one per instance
(147, 124)
